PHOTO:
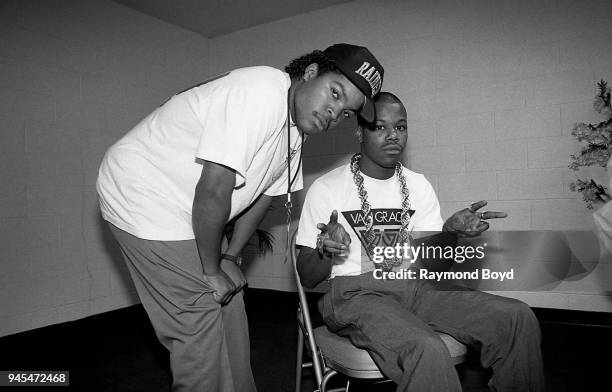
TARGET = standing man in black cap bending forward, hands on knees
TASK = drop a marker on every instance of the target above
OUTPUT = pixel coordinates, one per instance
(213, 153)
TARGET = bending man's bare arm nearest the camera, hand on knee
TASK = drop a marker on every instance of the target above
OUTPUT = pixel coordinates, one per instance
(210, 212)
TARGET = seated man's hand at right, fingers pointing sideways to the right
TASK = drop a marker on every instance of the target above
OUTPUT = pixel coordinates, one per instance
(470, 223)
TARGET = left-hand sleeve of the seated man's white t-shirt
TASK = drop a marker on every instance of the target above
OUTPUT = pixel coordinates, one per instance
(317, 208)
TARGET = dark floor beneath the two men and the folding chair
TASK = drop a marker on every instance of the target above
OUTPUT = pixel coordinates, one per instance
(118, 351)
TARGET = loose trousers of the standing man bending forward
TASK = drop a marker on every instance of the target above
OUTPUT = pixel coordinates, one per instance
(208, 343)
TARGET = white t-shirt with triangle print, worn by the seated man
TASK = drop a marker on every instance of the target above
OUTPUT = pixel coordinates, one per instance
(336, 190)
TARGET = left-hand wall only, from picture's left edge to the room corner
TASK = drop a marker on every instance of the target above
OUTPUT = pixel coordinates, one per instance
(74, 76)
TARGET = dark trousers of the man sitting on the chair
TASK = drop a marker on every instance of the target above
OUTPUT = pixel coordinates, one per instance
(396, 321)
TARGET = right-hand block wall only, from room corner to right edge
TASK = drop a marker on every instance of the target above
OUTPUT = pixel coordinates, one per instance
(492, 90)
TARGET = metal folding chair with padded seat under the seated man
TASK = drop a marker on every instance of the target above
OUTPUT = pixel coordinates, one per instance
(332, 354)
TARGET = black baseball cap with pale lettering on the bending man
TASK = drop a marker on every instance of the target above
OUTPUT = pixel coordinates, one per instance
(360, 66)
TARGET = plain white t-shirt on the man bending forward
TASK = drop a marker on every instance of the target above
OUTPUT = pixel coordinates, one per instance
(146, 183)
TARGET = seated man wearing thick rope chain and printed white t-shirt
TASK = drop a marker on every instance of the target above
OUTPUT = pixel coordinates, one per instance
(396, 320)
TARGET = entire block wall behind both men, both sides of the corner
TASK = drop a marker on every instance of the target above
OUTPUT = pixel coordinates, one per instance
(492, 90)
